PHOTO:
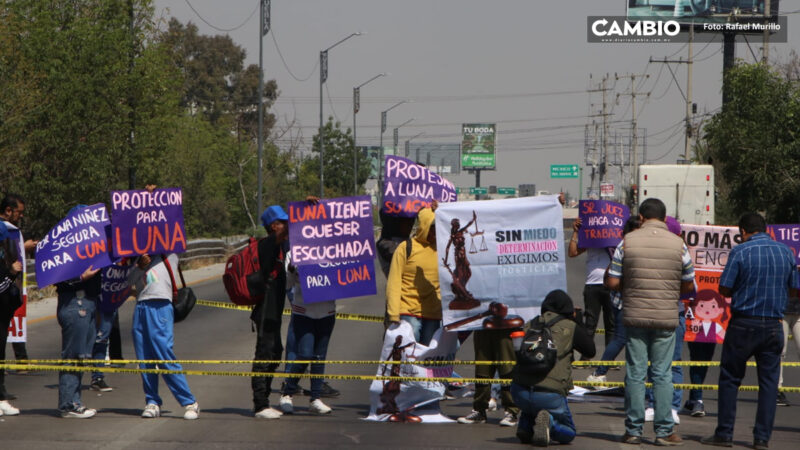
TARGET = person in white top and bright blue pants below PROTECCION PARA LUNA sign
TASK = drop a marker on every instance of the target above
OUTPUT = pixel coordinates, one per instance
(152, 332)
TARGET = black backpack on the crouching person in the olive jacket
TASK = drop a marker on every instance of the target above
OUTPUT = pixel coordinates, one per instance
(538, 353)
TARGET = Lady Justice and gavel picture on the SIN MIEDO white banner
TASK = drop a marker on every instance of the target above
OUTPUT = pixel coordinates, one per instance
(496, 316)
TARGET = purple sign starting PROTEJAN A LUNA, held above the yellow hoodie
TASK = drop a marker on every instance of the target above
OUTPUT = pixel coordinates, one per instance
(409, 187)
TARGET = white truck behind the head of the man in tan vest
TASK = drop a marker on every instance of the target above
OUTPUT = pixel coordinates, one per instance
(687, 190)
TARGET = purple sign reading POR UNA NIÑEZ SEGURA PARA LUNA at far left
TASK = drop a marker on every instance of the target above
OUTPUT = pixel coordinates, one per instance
(78, 241)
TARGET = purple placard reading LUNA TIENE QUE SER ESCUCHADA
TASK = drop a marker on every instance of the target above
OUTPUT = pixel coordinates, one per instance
(331, 231)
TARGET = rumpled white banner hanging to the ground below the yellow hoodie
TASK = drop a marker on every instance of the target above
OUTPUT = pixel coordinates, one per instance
(411, 401)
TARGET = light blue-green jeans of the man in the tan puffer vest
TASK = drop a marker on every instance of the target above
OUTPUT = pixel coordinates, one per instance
(656, 346)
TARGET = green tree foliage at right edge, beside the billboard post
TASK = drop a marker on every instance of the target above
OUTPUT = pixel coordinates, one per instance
(754, 143)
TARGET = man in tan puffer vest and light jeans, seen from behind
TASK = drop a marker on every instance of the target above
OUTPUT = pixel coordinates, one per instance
(656, 267)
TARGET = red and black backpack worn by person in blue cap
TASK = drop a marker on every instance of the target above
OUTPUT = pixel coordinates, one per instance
(242, 278)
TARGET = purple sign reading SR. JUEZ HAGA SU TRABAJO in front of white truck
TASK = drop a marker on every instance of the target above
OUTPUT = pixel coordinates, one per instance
(601, 223)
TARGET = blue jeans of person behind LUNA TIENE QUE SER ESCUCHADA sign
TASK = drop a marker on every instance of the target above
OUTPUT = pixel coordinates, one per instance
(309, 340)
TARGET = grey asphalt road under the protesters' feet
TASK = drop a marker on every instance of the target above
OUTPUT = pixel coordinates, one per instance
(226, 419)
